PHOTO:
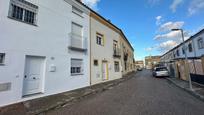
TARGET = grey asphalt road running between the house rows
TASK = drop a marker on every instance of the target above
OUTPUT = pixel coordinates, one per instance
(141, 95)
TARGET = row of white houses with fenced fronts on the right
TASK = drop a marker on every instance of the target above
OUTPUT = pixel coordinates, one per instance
(194, 48)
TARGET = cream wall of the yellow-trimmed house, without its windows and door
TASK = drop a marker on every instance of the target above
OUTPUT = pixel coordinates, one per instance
(101, 53)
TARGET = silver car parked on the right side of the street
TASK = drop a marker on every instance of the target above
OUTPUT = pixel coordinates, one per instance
(160, 72)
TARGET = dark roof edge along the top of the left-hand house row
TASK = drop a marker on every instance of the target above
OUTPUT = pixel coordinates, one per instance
(107, 22)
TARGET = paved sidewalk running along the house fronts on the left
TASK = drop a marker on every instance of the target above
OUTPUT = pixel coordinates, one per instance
(41, 105)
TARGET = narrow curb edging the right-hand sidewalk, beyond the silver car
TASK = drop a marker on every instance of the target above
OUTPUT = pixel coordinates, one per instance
(193, 93)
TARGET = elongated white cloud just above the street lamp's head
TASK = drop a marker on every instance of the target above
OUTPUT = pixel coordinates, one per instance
(171, 25)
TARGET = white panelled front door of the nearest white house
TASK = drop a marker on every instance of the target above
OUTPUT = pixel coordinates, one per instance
(33, 75)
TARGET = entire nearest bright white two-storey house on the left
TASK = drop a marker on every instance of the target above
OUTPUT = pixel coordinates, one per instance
(44, 48)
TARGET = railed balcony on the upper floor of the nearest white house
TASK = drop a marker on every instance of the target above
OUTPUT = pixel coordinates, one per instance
(78, 43)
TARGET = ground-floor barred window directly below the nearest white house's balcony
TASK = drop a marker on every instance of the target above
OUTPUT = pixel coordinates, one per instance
(76, 66)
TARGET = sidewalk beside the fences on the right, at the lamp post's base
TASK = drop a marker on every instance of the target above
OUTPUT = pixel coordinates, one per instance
(198, 90)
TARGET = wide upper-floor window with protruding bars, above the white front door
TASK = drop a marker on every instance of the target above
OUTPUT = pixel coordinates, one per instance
(23, 11)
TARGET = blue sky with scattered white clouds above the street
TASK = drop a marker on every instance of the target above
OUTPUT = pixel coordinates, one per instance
(148, 23)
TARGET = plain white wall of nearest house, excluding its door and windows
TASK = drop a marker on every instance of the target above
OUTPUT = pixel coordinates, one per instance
(50, 38)
